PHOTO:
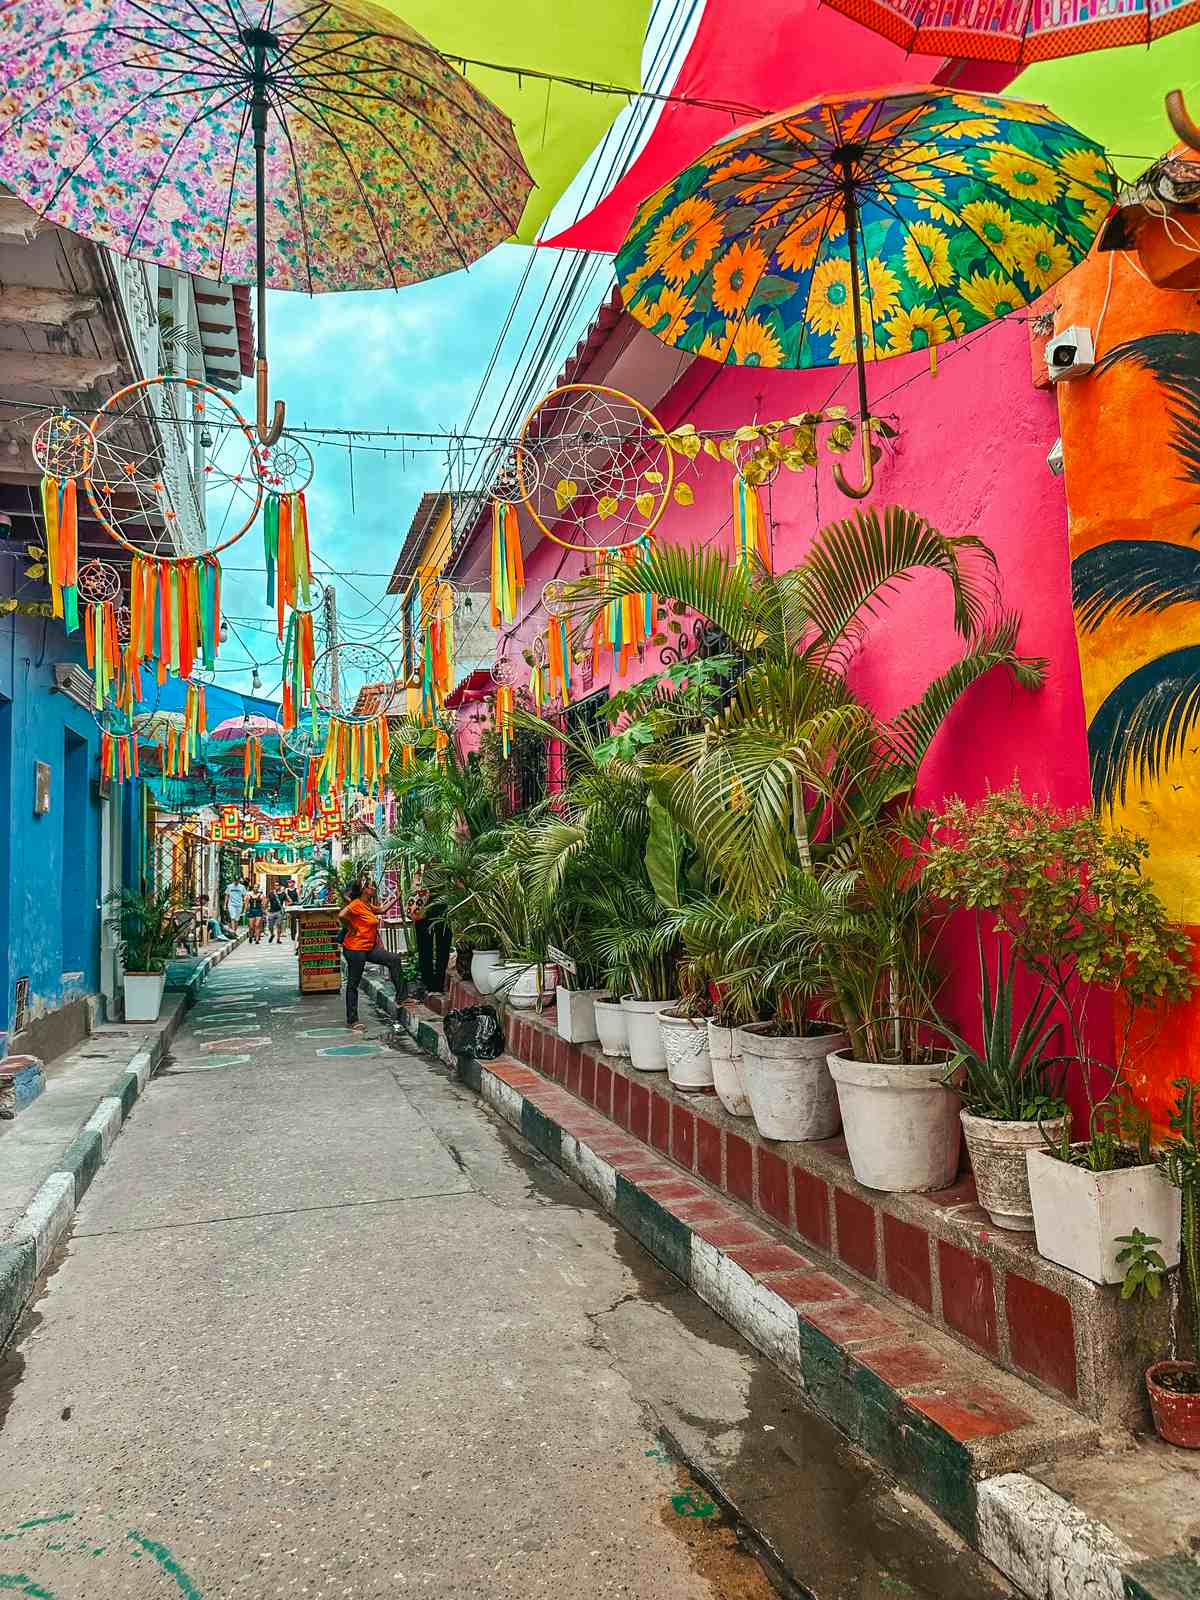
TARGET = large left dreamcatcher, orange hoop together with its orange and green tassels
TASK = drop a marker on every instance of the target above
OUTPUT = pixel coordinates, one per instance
(174, 522)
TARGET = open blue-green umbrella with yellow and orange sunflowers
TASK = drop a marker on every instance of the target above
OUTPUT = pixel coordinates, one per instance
(863, 226)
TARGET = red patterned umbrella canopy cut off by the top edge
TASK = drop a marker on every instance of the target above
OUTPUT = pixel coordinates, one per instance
(1020, 31)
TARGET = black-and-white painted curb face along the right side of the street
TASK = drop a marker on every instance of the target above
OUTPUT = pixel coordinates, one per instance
(1044, 1545)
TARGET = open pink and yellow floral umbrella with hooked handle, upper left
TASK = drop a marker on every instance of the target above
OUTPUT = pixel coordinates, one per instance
(297, 145)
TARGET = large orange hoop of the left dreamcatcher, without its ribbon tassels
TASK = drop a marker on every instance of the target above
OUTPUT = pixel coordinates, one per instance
(126, 470)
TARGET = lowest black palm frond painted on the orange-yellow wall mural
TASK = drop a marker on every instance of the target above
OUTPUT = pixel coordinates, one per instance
(1145, 724)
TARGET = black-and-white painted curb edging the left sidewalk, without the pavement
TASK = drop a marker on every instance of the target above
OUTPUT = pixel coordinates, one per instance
(34, 1234)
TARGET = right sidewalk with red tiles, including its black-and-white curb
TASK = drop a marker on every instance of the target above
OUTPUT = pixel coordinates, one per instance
(1063, 1511)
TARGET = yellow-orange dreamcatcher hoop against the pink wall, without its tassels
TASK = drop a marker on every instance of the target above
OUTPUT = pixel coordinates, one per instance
(614, 454)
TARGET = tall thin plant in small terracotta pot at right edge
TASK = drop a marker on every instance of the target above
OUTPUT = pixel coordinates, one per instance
(1175, 1385)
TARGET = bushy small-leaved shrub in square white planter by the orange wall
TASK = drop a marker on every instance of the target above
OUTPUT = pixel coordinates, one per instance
(1070, 897)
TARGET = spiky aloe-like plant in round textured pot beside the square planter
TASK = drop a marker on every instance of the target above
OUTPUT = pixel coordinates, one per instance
(1012, 1089)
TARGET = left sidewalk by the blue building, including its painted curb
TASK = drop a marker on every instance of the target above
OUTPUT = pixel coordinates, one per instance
(52, 1150)
